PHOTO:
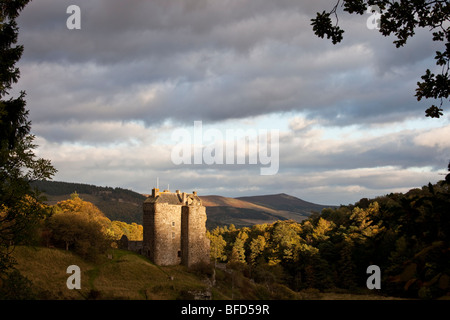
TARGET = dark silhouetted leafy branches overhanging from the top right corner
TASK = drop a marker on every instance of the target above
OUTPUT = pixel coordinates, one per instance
(402, 19)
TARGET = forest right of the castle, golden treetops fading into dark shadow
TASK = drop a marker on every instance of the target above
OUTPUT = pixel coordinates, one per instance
(406, 235)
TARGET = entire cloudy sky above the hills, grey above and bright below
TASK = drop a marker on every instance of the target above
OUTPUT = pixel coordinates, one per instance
(108, 101)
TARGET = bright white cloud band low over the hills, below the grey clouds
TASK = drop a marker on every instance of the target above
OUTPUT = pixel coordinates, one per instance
(312, 165)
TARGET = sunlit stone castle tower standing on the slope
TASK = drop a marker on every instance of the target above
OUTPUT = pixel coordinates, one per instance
(174, 229)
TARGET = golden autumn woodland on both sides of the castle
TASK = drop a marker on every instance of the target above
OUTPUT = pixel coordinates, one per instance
(407, 235)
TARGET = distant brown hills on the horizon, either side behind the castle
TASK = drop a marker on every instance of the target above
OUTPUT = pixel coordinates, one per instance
(126, 205)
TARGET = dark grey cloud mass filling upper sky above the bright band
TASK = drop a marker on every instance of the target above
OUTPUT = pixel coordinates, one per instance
(215, 60)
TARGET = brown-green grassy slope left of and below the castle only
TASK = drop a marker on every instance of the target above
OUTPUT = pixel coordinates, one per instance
(125, 276)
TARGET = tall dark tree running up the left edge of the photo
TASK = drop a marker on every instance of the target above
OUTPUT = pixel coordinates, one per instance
(19, 204)
